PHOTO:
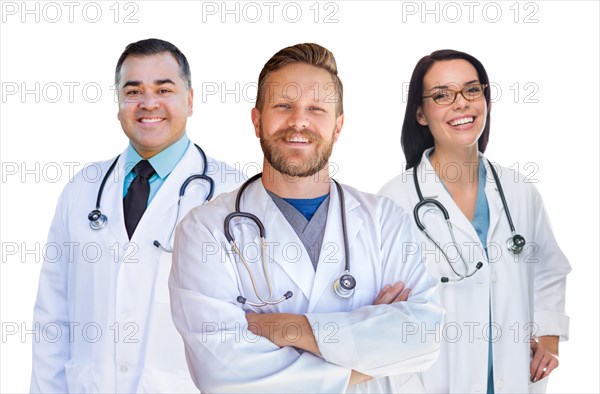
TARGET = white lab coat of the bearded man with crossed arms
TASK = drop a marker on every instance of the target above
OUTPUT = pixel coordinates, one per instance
(207, 277)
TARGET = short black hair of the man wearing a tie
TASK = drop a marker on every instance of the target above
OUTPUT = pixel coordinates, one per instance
(154, 46)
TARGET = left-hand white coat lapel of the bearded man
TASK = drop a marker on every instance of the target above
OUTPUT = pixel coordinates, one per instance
(283, 245)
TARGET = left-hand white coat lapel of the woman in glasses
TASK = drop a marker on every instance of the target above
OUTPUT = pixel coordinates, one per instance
(433, 187)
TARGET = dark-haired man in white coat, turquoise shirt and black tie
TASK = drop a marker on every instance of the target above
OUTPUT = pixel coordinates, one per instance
(102, 306)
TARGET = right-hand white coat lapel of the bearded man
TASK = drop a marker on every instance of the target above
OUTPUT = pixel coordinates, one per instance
(332, 258)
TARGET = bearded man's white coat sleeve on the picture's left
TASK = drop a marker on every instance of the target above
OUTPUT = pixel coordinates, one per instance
(222, 355)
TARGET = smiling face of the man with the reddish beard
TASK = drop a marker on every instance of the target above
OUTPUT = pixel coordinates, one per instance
(297, 124)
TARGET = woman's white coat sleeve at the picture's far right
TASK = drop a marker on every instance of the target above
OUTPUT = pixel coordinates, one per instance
(550, 279)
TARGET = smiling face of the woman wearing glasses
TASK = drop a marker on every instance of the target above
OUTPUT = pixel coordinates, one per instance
(460, 124)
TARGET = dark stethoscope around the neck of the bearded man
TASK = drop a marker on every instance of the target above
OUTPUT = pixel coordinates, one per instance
(343, 286)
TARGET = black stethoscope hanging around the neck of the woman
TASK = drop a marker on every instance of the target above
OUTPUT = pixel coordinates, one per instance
(514, 243)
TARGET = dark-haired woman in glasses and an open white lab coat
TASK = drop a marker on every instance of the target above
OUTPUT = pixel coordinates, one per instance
(483, 232)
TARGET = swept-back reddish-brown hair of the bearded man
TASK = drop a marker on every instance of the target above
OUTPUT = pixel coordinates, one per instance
(309, 53)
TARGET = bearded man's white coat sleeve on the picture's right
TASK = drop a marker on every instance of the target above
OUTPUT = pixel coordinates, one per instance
(383, 340)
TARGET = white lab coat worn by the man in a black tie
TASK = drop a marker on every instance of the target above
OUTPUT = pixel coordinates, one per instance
(102, 308)
